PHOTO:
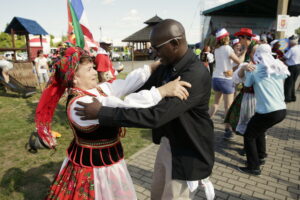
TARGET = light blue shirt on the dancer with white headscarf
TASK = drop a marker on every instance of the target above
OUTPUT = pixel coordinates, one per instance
(268, 90)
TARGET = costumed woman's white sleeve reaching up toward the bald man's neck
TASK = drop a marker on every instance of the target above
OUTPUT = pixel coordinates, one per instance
(133, 81)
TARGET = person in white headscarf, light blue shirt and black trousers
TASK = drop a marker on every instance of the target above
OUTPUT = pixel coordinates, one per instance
(267, 80)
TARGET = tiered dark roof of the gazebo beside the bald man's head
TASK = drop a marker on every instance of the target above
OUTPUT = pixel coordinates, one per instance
(143, 35)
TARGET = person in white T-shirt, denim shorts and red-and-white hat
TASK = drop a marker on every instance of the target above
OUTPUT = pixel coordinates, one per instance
(222, 83)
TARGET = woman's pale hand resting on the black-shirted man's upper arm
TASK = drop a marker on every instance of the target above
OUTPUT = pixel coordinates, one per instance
(175, 88)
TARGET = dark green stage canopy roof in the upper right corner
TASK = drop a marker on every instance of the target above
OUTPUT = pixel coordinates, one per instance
(252, 8)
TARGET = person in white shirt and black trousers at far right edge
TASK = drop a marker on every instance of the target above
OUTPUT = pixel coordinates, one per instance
(292, 60)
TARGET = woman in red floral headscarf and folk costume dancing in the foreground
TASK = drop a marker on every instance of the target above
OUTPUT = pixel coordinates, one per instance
(95, 166)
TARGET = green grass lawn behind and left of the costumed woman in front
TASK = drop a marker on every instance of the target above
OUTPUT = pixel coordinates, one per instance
(28, 176)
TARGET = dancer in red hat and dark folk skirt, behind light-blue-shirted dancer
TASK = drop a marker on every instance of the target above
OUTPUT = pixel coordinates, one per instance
(243, 106)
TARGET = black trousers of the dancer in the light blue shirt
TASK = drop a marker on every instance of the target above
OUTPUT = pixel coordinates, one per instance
(254, 138)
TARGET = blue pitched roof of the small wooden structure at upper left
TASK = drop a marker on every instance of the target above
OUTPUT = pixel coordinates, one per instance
(24, 26)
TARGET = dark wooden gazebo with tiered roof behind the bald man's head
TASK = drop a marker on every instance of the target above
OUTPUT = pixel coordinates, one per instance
(139, 39)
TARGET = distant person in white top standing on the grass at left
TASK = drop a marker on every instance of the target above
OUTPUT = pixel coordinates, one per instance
(42, 68)
